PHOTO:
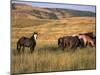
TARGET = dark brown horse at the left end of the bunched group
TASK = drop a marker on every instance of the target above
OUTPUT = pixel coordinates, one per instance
(71, 42)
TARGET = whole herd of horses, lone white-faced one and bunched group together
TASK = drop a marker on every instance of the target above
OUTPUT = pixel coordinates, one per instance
(69, 42)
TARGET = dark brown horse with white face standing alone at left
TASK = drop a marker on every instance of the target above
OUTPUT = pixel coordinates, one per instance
(27, 42)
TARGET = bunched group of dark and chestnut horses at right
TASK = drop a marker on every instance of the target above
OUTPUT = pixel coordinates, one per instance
(77, 40)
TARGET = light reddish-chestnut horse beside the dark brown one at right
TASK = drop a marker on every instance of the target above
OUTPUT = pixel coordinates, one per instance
(87, 40)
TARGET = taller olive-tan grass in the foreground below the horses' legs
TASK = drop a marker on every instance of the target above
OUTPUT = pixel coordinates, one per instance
(51, 58)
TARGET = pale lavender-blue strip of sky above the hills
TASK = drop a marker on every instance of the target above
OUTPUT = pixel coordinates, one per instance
(90, 8)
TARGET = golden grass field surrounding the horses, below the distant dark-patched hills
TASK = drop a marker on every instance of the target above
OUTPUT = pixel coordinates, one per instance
(47, 56)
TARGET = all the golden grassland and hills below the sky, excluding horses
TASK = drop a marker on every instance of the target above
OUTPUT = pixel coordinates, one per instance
(47, 56)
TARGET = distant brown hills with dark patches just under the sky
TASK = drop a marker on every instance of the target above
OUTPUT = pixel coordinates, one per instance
(48, 13)
